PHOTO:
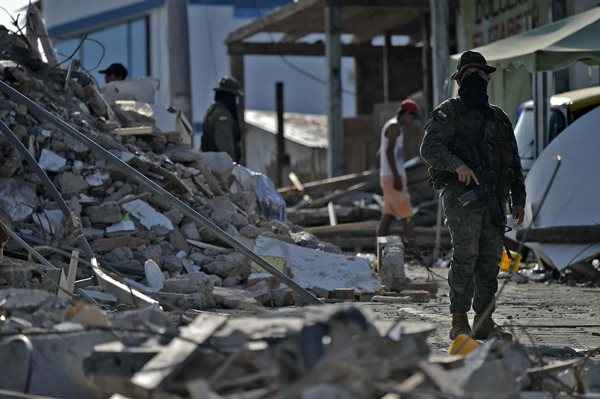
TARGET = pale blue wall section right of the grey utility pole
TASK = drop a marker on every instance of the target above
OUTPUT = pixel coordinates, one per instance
(209, 26)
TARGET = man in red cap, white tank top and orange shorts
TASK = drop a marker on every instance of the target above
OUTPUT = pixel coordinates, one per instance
(396, 199)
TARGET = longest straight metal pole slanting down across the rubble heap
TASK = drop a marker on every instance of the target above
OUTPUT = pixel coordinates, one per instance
(155, 189)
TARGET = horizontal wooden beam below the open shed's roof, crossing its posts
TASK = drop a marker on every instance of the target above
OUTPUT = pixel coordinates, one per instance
(314, 49)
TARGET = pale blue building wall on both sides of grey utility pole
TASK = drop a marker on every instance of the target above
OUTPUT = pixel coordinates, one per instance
(210, 21)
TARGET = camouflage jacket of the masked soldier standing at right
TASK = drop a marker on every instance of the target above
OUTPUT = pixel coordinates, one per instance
(483, 140)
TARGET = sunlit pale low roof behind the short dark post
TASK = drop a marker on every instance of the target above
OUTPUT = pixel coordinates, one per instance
(305, 129)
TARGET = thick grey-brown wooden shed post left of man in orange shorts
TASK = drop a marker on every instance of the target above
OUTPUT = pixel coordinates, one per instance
(335, 122)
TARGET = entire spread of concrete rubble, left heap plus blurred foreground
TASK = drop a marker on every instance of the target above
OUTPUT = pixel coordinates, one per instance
(105, 278)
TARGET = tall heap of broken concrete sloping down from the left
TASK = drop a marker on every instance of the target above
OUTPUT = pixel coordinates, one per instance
(141, 237)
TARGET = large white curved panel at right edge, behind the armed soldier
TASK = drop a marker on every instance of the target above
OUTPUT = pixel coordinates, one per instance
(574, 197)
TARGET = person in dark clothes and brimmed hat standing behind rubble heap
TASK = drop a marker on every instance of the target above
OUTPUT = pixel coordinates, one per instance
(221, 128)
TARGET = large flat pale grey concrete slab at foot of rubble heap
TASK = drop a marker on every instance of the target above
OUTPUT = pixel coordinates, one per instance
(311, 268)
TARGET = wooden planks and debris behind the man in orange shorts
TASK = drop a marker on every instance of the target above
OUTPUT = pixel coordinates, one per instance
(345, 210)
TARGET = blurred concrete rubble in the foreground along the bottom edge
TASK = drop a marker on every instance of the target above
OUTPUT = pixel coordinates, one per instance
(72, 350)
